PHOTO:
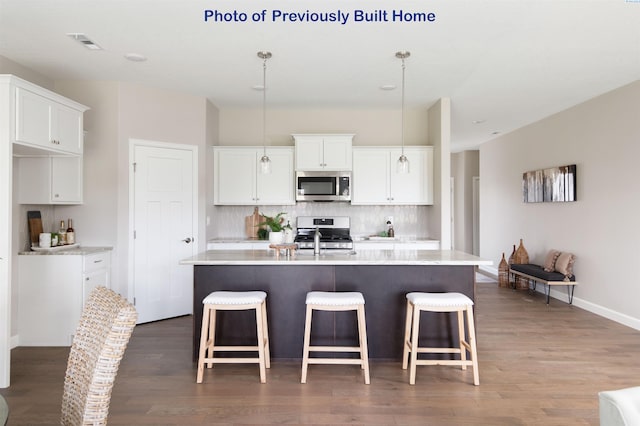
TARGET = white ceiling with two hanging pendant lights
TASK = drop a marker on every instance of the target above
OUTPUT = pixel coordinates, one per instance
(508, 63)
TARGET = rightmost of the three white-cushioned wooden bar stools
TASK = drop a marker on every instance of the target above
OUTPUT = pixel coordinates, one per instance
(439, 302)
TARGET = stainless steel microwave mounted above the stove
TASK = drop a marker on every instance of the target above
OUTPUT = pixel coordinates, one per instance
(323, 186)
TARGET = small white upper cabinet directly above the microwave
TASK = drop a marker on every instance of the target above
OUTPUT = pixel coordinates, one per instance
(323, 152)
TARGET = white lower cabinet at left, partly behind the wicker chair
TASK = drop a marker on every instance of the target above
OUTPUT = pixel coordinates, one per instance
(52, 290)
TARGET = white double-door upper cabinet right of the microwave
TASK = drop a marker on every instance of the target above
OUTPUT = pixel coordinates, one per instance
(377, 181)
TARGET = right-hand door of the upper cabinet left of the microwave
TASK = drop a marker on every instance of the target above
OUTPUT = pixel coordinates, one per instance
(276, 187)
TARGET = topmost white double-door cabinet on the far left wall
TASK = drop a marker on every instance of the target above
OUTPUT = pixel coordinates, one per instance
(47, 124)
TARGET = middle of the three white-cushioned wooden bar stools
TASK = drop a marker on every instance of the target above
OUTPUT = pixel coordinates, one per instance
(336, 301)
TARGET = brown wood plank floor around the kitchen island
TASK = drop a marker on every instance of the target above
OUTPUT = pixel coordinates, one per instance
(539, 365)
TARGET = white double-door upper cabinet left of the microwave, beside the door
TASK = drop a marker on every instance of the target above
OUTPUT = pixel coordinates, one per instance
(238, 181)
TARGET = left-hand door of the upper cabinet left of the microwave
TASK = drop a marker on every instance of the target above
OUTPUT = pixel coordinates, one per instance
(235, 176)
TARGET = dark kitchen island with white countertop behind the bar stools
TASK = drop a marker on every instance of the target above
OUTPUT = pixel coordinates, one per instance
(383, 277)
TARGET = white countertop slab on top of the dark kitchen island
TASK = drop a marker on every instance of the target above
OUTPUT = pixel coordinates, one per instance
(377, 257)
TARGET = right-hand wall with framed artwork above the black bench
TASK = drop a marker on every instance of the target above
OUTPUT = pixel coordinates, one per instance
(600, 136)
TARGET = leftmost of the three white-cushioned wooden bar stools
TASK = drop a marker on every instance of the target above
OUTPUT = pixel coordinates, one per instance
(234, 301)
